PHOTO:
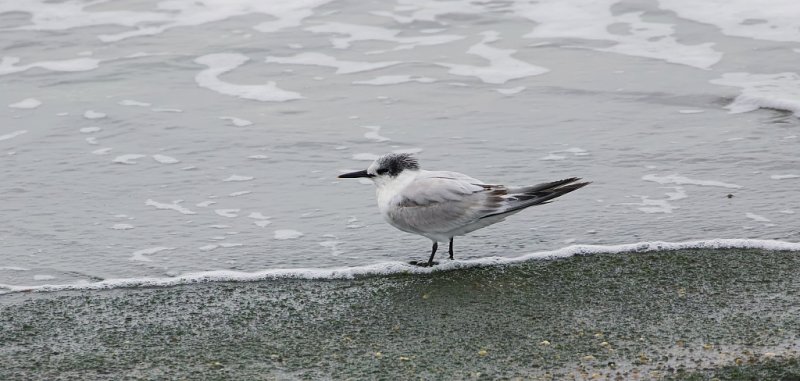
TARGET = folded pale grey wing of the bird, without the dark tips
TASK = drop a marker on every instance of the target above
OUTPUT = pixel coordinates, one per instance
(441, 206)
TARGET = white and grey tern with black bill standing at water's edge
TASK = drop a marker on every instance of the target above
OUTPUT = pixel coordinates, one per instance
(440, 205)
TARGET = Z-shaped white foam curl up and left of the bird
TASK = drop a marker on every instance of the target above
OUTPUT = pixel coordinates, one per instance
(221, 63)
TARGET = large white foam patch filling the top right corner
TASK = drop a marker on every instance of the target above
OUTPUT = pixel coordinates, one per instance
(775, 20)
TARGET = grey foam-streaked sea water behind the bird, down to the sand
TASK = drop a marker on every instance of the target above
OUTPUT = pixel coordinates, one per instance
(156, 142)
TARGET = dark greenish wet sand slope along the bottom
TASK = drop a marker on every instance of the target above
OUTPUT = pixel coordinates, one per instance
(686, 314)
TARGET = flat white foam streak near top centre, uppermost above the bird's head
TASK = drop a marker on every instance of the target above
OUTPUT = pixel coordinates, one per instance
(355, 33)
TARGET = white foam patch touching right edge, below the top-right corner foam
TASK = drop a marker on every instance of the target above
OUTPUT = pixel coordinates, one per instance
(774, 91)
